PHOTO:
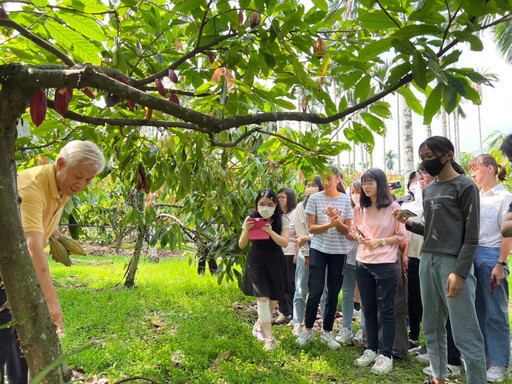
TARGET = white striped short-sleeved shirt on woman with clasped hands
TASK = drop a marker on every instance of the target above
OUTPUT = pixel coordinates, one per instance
(331, 241)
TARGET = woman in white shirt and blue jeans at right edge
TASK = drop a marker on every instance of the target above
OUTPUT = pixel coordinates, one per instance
(491, 267)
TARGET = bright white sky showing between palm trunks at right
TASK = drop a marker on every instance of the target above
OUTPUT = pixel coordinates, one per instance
(495, 110)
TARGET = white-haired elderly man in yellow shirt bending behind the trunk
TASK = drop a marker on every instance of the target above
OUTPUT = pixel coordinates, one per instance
(44, 191)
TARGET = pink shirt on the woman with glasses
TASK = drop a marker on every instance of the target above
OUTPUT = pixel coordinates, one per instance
(377, 224)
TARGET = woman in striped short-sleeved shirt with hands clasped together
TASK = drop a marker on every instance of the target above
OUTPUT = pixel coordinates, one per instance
(329, 217)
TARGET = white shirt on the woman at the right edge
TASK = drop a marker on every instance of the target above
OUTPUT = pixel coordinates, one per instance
(494, 205)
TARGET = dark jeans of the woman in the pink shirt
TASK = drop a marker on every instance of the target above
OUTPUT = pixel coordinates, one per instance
(377, 285)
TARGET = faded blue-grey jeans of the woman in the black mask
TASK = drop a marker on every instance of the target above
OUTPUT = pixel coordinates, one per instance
(434, 271)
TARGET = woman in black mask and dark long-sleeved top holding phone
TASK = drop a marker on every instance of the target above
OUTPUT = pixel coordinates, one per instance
(451, 210)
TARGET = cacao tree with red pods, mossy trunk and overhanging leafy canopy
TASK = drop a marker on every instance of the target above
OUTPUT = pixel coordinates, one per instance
(214, 78)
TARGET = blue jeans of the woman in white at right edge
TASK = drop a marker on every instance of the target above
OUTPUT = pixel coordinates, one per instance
(492, 310)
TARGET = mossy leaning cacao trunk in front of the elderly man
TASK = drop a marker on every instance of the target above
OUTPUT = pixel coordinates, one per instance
(37, 334)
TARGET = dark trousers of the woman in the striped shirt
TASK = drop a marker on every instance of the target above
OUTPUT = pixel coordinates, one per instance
(318, 264)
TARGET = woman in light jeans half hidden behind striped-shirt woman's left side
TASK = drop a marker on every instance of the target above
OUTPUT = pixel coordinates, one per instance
(303, 239)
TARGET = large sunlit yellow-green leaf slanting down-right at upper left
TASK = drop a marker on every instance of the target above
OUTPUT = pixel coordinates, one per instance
(72, 41)
